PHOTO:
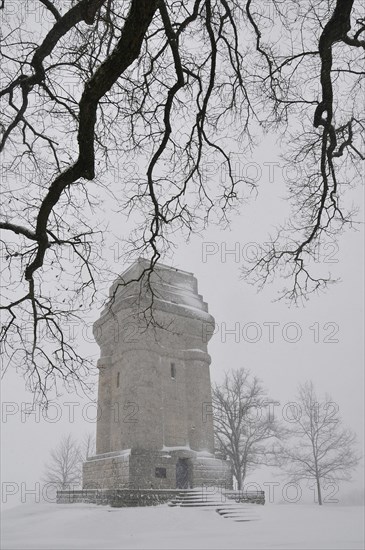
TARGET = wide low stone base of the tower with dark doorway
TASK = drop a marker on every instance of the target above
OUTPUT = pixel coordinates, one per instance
(169, 468)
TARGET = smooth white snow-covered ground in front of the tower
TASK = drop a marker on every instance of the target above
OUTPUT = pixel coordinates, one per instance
(85, 526)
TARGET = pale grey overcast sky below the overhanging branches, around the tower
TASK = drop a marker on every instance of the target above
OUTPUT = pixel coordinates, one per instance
(283, 346)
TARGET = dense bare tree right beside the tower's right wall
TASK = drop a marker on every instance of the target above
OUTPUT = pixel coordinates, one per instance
(243, 422)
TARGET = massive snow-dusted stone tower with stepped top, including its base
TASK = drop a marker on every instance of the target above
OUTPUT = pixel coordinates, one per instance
(155, 425)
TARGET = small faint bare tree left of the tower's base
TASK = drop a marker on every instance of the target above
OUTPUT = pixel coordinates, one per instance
(64, 468)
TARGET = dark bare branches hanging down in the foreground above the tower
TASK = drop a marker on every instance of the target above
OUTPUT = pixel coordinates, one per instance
(152, 94)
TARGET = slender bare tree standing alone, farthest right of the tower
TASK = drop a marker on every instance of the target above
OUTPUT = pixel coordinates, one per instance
(320, 449)
